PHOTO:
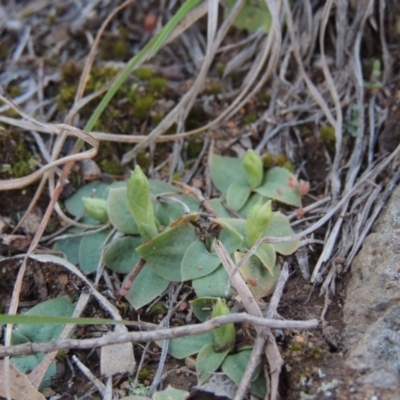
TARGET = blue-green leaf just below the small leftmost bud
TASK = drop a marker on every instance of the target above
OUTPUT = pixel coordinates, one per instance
(90, 250)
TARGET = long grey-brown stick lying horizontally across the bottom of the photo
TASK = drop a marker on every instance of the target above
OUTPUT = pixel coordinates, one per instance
(155, 335)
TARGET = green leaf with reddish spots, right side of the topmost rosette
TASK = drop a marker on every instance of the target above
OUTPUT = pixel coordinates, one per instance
(280, 184)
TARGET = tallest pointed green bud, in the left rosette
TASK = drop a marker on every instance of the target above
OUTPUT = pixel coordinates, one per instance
(139, 200)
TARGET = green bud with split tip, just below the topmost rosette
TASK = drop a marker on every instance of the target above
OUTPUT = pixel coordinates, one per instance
(257, 222)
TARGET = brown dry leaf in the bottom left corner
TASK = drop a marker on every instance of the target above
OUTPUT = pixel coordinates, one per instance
(20, 387)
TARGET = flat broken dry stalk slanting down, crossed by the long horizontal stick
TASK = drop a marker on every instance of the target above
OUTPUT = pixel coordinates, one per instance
(251, 306)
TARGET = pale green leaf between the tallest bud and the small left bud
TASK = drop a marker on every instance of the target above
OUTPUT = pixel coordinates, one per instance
(119, 212)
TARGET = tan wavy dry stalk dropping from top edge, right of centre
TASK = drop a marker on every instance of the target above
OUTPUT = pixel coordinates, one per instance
(334, 173)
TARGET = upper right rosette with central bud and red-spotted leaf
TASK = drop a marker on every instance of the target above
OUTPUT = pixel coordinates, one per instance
(244, 181)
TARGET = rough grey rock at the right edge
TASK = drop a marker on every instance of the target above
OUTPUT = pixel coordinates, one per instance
(372, 308)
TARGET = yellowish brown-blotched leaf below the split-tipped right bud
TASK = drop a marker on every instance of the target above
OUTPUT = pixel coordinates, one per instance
(258, 278)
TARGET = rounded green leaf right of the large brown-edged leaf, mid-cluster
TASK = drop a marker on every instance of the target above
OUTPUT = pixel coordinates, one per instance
(198, 262)
